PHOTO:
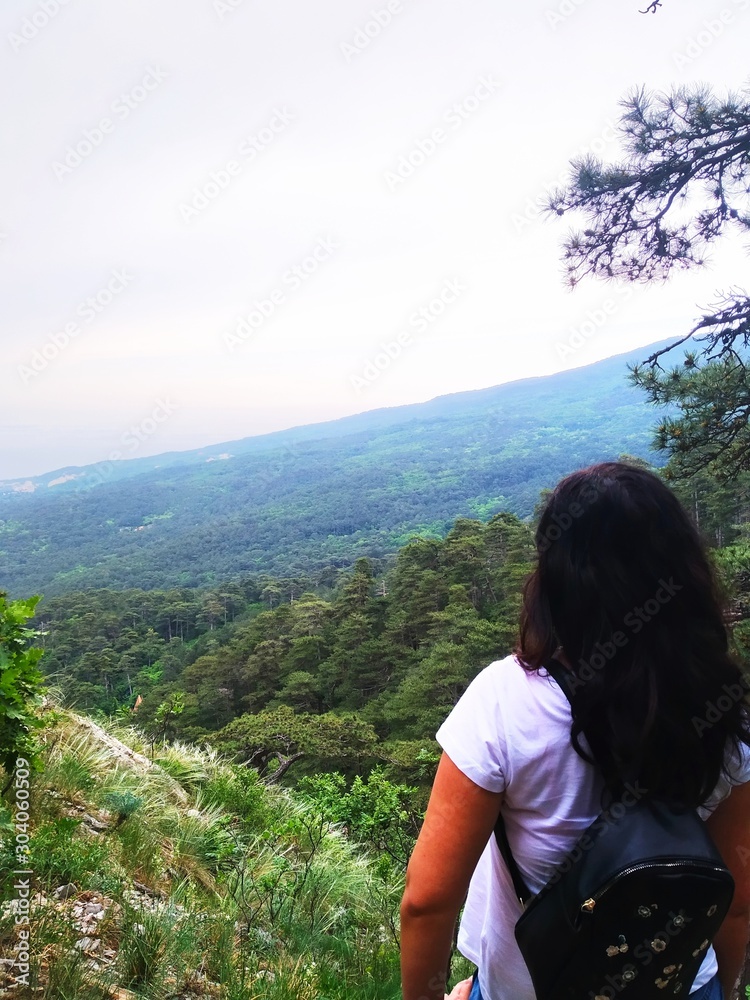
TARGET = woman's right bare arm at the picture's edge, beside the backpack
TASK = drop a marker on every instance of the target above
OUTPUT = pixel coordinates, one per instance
(729, 825)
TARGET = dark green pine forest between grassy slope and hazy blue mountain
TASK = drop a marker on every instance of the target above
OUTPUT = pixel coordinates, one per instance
(397, 651)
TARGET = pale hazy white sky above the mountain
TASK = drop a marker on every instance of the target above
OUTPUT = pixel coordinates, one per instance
(225, 218)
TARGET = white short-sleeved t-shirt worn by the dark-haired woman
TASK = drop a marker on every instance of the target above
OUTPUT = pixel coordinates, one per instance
(510, 732)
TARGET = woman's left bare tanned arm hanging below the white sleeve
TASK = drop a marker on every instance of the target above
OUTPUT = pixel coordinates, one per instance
(458, 823)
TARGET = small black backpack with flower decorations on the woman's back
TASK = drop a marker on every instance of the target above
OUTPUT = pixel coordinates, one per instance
(632, 910)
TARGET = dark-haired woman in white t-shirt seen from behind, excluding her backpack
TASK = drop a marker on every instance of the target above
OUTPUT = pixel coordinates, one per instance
(622, 595)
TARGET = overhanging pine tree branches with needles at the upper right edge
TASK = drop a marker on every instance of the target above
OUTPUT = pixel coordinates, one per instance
(682, 186)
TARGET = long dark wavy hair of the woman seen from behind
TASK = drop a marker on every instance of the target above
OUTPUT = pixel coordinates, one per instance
(624, 585)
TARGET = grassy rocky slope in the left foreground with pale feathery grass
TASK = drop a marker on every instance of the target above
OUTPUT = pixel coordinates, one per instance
(253, 894)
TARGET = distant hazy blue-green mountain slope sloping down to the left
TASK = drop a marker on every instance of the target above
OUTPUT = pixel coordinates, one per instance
(318, 495)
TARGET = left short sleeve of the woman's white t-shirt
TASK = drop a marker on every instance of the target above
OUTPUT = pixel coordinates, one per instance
(473, 734)
